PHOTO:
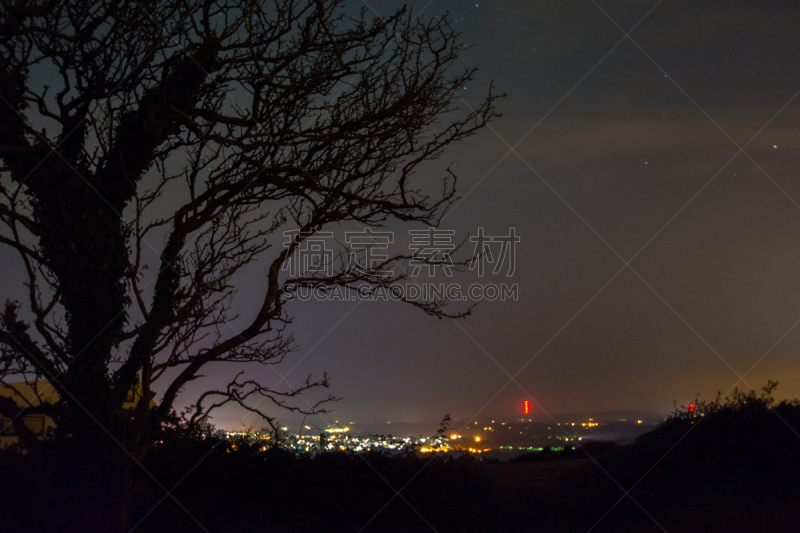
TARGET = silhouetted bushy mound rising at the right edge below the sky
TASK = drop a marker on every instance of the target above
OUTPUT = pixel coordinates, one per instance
(728, 462)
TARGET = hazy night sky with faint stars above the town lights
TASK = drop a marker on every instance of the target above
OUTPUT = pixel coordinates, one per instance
(611, 150)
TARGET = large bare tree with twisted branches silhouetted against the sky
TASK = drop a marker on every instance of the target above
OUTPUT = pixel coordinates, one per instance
(203, 127)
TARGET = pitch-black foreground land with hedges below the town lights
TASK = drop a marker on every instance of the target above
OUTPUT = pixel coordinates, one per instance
(735, 469)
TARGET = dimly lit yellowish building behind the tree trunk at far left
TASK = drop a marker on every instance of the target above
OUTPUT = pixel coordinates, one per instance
(36, 393)
